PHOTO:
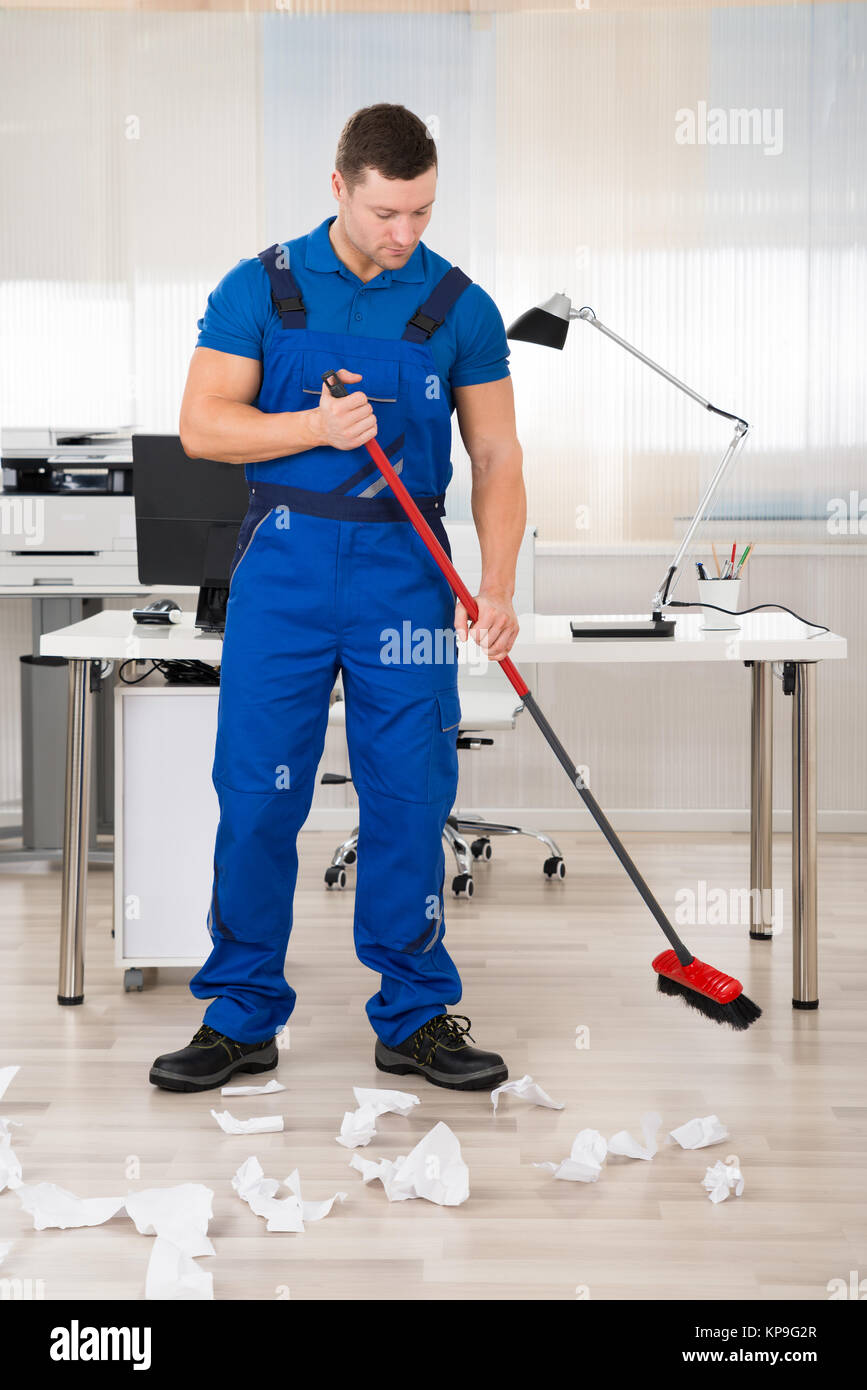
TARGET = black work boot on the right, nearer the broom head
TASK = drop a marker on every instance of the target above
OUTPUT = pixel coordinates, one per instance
(438, 1053)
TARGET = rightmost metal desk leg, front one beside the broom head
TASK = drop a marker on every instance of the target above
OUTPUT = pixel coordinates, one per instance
(805, 945)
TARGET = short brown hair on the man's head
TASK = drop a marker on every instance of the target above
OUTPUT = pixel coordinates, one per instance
(386, 138)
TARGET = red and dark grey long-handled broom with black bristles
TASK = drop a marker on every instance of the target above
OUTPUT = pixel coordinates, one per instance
(715, 995)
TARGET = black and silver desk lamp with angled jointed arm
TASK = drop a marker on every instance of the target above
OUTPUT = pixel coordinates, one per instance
(548, 326)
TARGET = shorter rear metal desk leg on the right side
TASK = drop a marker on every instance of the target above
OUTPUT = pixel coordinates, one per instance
(762, 801)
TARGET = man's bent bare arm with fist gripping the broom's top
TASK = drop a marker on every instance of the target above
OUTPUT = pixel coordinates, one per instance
(219, 420)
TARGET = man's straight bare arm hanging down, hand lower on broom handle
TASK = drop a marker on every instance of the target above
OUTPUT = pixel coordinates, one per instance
(486, 416)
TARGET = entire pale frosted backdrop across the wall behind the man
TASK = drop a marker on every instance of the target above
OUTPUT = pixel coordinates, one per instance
(695, 174)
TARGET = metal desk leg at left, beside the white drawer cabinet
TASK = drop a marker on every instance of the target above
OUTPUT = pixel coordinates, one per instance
(77, 824)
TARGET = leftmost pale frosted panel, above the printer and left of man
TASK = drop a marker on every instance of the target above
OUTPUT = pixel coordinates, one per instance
(131, 183)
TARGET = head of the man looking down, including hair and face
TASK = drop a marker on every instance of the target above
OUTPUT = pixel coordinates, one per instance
(386, 183)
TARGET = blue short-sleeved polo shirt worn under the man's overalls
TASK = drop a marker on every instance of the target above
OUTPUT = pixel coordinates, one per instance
(468, 350)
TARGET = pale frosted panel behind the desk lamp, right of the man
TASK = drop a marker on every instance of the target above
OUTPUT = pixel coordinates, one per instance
(697, 177)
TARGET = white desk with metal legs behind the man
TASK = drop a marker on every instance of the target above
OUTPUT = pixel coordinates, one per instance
(763, 640)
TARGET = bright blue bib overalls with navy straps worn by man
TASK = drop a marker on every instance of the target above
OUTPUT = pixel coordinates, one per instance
(331, 576)
